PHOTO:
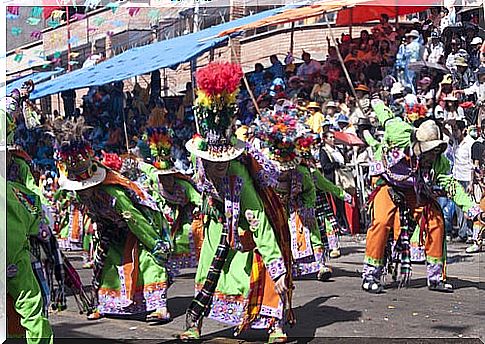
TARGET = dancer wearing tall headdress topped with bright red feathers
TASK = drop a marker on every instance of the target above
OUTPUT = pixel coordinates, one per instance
(242, 274)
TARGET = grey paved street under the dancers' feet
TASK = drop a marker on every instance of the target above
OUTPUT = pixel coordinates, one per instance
(337, 308)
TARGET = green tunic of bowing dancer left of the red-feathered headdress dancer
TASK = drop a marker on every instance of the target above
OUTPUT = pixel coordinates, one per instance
(132, 280)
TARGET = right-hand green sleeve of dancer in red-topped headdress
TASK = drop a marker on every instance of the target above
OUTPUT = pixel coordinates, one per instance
(253, 218)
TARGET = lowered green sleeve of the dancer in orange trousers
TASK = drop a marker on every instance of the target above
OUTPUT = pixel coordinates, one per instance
(450, 185)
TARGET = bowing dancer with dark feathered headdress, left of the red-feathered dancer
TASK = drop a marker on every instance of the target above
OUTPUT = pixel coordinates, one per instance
(129, 269)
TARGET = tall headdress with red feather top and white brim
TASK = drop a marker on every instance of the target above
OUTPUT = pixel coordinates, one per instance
(215, 112)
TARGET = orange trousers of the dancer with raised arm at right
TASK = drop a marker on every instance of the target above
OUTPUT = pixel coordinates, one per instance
(386, 216)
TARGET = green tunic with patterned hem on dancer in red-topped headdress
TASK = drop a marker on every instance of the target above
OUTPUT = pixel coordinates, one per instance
(233, 287)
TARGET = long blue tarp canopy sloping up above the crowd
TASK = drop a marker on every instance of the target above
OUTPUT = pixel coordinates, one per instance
(145, 59)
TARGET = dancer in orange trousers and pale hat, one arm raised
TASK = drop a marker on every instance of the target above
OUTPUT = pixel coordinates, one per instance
(411, 171)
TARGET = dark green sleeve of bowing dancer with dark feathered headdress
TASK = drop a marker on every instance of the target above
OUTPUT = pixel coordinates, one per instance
(136, 221)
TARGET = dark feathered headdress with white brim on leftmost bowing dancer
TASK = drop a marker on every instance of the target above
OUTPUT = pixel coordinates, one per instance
(74, 155)
